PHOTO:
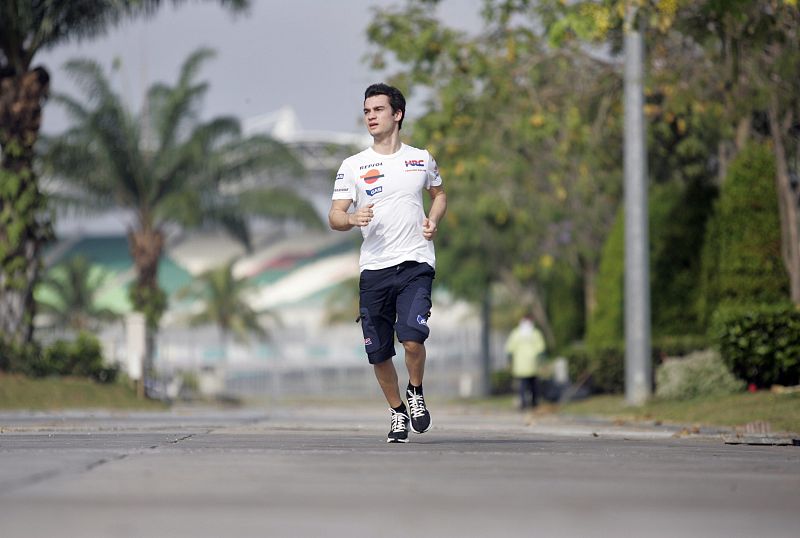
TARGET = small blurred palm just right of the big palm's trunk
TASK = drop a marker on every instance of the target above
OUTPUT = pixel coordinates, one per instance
(223, 300)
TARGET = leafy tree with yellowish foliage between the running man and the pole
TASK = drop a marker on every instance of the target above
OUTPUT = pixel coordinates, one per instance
(531, 167)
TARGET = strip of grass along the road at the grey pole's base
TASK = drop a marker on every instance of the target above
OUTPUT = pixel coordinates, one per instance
(781, 411)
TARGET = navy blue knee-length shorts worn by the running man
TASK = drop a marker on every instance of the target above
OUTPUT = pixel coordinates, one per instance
(393, 300)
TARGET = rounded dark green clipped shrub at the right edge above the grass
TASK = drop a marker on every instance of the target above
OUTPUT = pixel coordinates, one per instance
(760, 344)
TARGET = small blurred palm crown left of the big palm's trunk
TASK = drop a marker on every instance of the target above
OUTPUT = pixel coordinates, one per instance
(69, 295)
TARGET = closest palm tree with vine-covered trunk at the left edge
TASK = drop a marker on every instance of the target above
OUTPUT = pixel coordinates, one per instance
(27, 27)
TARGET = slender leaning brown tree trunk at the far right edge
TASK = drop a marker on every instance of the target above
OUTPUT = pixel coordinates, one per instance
(787, 202)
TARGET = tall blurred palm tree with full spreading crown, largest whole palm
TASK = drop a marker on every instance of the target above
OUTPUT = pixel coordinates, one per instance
(167, 167)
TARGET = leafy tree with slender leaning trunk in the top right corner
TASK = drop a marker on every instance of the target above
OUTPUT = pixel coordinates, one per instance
(753, 49)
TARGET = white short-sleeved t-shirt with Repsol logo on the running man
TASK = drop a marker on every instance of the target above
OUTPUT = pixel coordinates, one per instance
(394, 183)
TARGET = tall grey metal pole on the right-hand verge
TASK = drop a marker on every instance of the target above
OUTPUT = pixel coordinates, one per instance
(638, 360)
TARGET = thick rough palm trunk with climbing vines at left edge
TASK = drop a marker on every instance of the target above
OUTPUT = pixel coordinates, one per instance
(23, 227)
